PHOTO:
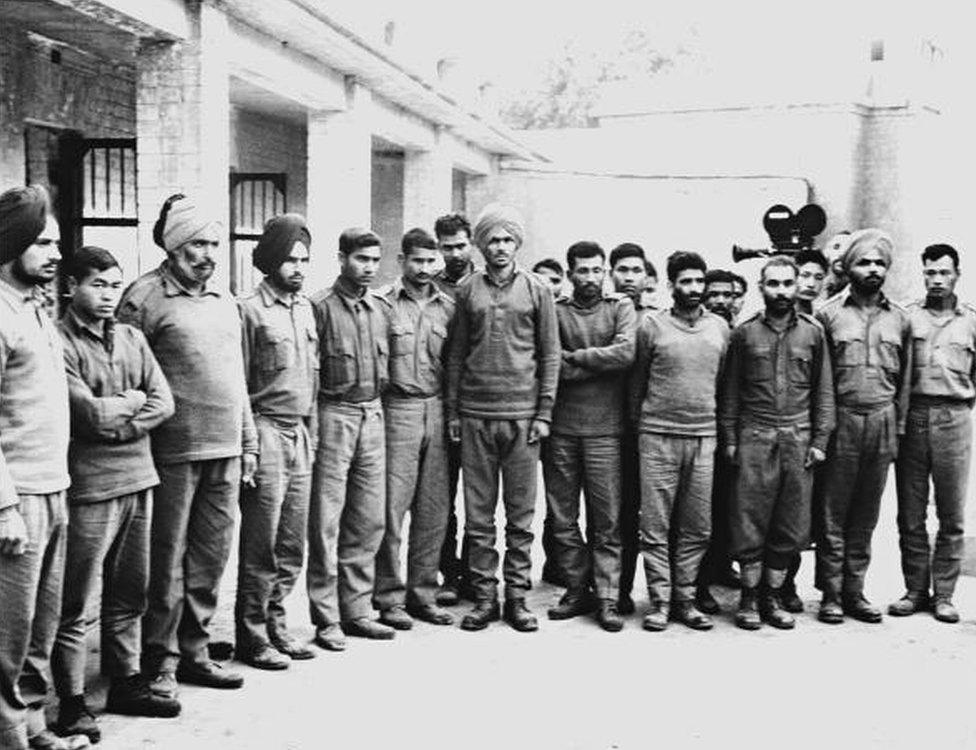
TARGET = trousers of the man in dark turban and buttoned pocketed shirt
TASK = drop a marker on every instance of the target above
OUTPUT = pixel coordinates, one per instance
(274, 523)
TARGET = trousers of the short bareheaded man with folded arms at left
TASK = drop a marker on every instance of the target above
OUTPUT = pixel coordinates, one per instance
(108, 547)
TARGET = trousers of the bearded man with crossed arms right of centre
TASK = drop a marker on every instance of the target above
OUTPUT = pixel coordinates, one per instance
(590, 465)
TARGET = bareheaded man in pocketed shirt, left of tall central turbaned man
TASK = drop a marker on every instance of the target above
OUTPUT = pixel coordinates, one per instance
(416, 476)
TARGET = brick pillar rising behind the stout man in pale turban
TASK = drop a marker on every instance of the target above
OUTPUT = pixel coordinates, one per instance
(182, 111)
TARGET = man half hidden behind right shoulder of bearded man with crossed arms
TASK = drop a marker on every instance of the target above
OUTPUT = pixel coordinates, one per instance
(628, 271)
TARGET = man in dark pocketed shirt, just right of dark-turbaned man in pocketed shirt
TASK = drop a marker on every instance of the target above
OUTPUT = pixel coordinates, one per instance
(348, 506)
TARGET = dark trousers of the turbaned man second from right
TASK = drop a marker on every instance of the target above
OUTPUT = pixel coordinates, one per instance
(855, 474)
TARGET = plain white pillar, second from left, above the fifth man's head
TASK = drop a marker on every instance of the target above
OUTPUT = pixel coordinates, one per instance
(339, 167)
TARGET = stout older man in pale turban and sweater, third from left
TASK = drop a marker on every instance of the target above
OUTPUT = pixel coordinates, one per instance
(203, 453)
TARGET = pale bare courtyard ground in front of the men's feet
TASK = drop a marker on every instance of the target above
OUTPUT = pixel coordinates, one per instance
(902, 684)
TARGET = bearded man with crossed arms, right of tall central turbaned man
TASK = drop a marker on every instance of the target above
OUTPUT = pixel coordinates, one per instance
(596, 332)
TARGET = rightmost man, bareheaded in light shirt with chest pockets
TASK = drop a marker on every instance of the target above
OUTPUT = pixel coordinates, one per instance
(937, 445)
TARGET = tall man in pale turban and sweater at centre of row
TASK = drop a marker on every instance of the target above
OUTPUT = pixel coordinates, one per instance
(503, 368)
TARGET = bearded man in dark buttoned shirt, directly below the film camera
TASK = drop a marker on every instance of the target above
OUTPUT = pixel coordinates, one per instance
(776, 413)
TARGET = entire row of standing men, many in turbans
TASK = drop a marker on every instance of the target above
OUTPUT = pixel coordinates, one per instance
(133, 429)
